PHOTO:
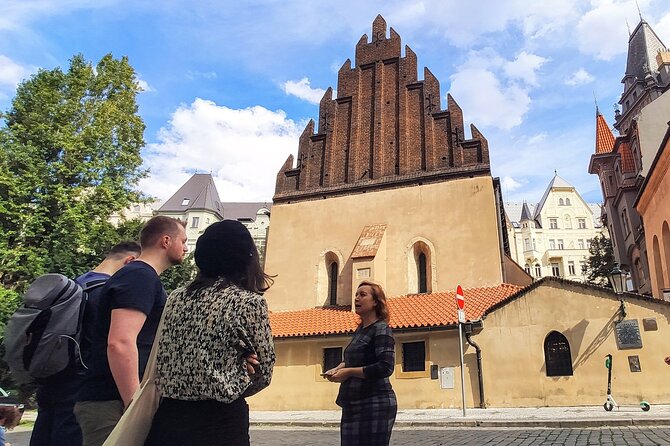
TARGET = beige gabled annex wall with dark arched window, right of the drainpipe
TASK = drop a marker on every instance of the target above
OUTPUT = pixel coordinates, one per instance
(513, 350)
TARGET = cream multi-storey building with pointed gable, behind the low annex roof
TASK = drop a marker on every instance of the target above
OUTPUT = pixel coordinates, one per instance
(552, 237)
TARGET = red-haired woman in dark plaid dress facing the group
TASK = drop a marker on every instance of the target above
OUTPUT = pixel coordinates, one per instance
(367, 399)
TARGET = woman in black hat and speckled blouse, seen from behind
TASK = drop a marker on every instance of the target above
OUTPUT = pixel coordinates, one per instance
(216, 346)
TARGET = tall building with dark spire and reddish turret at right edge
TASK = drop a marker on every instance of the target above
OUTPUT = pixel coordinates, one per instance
(622, 163)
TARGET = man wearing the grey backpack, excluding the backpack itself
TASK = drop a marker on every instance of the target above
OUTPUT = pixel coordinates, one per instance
(56, 424)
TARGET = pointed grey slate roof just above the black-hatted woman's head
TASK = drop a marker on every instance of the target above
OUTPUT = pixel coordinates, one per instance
(199, 192)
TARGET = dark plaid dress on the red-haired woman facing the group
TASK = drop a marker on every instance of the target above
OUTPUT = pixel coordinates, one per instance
(368, 404)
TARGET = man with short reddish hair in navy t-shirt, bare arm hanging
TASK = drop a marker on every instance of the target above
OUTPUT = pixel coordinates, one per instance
(131, 305)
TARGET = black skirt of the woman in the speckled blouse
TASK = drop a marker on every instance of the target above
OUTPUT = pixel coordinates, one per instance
(199, 423)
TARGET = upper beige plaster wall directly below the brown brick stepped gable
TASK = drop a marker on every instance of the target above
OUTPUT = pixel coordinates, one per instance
(458, 217)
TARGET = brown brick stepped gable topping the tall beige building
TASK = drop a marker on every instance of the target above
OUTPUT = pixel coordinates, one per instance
(385, 129)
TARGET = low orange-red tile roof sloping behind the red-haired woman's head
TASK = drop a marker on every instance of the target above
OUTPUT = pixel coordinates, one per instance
(410, 311)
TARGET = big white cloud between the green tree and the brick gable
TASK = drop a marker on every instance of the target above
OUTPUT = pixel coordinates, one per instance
(242, 148)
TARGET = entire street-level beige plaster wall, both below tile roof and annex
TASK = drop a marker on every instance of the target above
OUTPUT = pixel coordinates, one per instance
(512, 344)
